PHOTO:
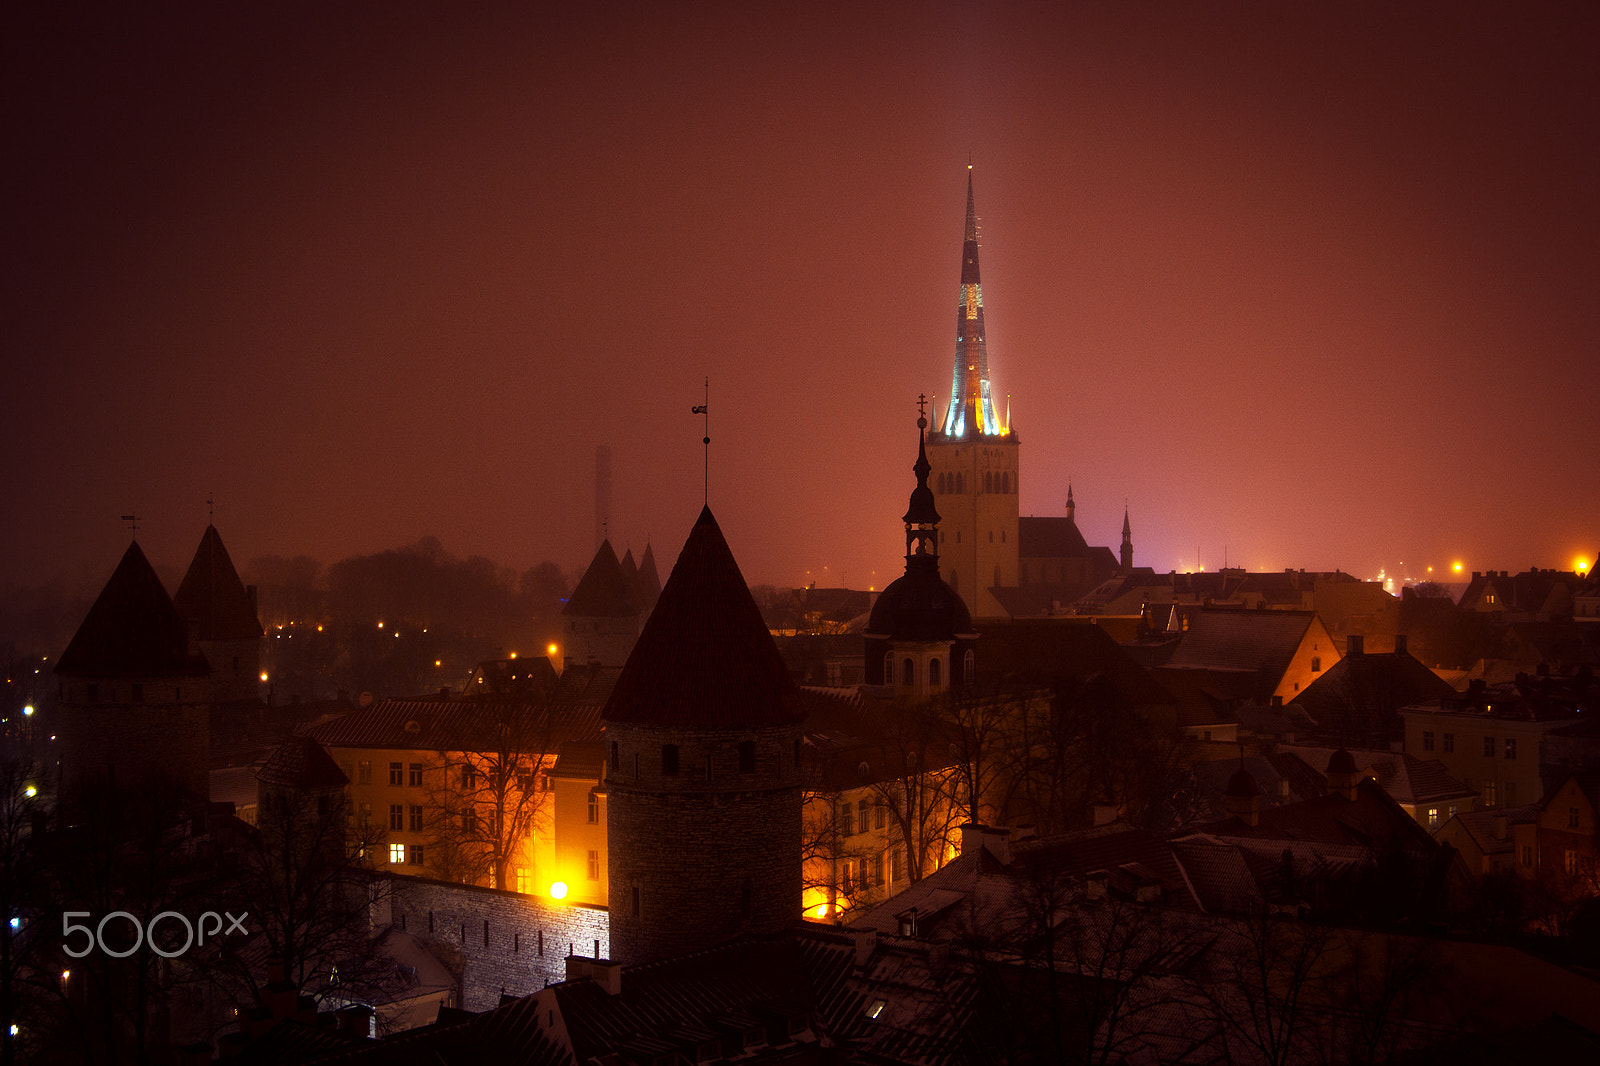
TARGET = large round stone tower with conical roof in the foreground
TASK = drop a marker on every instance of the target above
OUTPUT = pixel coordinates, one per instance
(703, 767)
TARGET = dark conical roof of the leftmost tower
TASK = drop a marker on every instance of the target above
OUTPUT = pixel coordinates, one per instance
(132, 630)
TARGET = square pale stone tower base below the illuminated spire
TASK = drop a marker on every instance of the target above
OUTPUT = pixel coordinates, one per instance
(977, 526)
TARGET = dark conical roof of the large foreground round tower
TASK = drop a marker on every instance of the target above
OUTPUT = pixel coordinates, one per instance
(705, 660)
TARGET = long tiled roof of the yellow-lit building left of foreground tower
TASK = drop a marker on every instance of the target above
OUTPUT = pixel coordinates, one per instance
(457, 724)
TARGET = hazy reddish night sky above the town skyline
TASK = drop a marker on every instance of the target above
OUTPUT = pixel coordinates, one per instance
(1303, 287)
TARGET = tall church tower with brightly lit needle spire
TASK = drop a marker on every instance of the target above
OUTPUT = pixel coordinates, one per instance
(975, 455)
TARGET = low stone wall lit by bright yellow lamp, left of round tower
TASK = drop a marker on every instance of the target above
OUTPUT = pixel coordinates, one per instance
(503, 944)
